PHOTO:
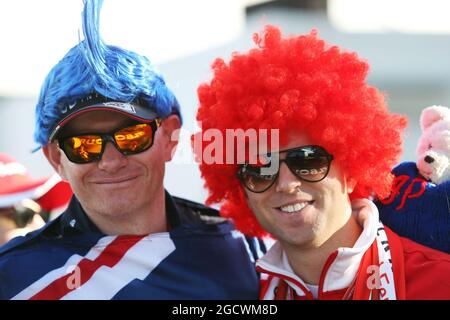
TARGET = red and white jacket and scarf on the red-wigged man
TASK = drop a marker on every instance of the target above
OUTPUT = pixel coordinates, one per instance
(418, 272)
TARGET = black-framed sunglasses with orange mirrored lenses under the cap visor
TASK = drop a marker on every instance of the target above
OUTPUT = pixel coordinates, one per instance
(89, 147)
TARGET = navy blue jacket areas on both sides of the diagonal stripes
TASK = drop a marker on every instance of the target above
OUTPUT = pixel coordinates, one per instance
(208, 263)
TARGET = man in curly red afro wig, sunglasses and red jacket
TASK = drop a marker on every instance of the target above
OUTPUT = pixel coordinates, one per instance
(337, 145)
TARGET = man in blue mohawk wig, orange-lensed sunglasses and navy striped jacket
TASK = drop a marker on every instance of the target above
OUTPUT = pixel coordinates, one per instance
(105, 121)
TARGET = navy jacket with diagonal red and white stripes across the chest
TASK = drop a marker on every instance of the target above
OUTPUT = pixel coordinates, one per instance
(201, 257)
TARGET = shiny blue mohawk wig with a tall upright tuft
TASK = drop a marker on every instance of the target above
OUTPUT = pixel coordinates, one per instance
(94, 67)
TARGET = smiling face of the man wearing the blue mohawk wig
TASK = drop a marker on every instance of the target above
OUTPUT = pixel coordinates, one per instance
(117, 186)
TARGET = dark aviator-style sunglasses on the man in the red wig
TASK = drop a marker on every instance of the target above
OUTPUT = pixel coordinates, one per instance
(309, 163)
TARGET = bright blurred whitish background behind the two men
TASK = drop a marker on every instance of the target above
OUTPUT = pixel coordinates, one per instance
(407, 43)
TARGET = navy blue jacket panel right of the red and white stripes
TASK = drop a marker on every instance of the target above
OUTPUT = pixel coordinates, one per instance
(201, 268)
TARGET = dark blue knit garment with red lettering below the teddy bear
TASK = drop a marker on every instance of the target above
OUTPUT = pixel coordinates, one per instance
(418, 209)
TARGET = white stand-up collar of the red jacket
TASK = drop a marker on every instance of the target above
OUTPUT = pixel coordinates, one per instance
(344, 267)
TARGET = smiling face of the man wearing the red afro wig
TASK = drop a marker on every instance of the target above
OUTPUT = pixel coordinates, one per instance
(300, 213)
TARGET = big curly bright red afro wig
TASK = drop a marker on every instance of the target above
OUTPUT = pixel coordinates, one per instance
(299, 83)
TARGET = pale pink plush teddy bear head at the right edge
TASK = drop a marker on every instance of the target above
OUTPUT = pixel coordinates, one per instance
(434, 145)
